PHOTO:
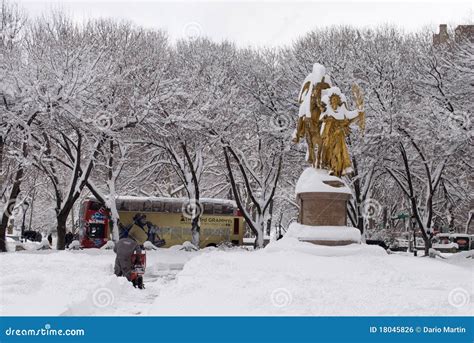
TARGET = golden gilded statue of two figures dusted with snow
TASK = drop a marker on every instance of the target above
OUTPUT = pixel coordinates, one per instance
(324, 121)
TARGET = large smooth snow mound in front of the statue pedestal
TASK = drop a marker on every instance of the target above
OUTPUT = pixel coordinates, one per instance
(289, 277)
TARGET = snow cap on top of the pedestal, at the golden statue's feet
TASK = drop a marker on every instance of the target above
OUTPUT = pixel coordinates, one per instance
(316, 180)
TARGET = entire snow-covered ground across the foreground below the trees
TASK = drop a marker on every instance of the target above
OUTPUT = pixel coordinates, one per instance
(286, 278)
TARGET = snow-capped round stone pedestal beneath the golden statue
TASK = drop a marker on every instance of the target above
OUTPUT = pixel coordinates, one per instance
(322, 219)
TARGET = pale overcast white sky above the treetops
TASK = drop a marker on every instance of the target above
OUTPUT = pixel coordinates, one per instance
(262, 23)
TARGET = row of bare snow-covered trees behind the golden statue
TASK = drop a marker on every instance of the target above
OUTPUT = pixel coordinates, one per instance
(107, 108)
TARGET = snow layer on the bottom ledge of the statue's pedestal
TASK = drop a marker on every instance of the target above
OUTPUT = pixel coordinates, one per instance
(323, 233)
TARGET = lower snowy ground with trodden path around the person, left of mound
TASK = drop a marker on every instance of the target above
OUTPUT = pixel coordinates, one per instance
(79, 282)
